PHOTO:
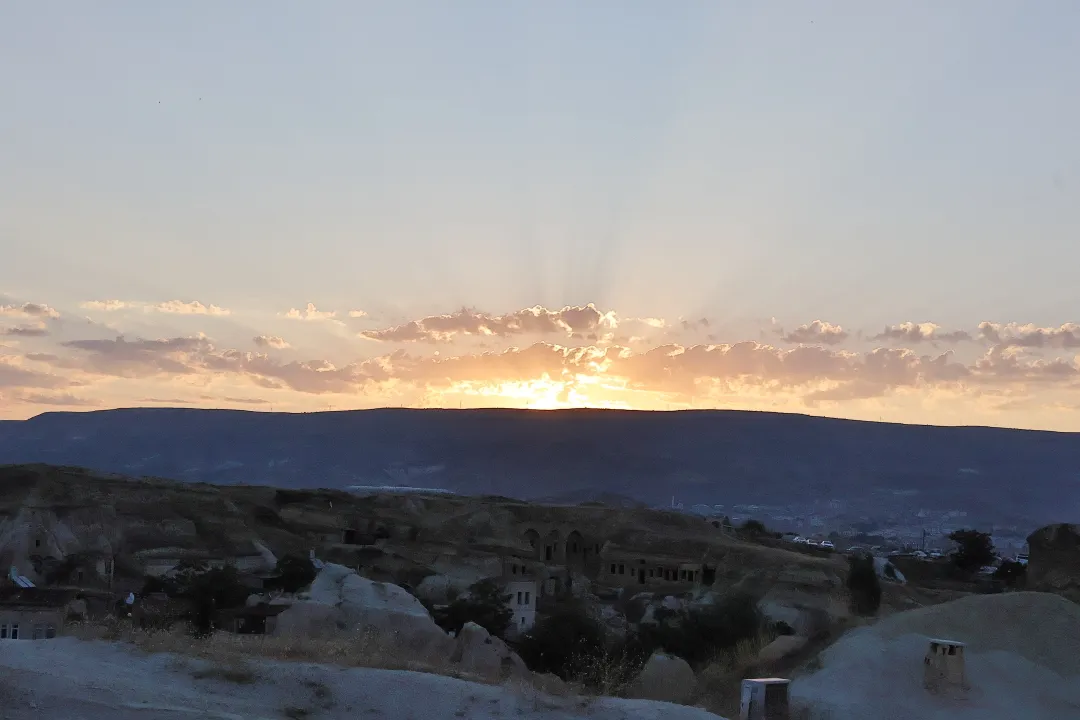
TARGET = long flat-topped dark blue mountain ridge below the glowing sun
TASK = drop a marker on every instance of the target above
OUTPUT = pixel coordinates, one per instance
(713, 457)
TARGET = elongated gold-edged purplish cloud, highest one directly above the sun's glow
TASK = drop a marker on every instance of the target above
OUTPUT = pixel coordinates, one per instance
(574, 322)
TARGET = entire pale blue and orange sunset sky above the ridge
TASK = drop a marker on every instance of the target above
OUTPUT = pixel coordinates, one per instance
(853, 210)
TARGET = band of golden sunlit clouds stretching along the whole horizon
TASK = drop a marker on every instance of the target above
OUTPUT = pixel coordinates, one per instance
(578, 356)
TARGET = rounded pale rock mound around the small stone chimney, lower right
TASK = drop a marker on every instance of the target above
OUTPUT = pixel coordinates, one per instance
(1021, 660)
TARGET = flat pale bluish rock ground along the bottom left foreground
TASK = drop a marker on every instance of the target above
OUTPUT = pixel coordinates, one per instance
(70, 680)
